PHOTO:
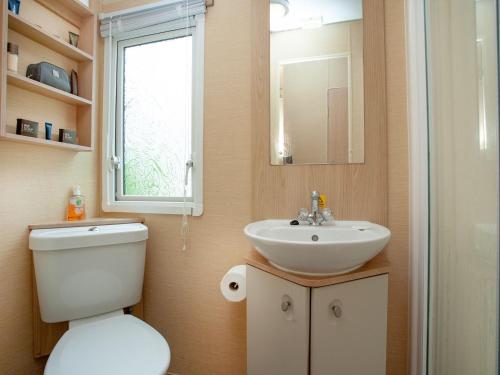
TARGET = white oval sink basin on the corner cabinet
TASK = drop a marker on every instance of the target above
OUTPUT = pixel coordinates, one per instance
(317, 250)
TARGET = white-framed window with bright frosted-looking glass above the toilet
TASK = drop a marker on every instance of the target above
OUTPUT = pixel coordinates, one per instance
(152, 138)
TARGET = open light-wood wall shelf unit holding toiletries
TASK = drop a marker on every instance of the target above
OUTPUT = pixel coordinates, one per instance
(41, 31)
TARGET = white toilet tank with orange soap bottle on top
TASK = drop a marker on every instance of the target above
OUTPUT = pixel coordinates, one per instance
(86, 271)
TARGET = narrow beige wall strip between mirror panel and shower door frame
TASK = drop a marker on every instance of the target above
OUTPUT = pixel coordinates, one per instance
(398, 188)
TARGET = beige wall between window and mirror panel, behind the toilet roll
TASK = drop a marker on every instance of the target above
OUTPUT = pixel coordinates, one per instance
(207, 335)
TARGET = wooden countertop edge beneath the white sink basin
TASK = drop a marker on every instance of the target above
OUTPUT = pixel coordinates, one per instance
(377, 266)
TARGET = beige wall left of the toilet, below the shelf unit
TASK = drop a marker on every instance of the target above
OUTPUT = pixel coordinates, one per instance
(35, 182)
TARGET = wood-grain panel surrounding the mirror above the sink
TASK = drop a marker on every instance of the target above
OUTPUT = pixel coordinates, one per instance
(354, 191)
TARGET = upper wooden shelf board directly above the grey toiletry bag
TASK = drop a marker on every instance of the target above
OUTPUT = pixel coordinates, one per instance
(39, 35)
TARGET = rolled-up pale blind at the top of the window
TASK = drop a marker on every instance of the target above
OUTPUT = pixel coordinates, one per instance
(150, 15)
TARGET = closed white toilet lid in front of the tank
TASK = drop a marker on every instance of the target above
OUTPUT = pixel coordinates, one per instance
(120, 345)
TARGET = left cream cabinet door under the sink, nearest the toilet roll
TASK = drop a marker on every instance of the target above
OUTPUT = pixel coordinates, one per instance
(277, 325)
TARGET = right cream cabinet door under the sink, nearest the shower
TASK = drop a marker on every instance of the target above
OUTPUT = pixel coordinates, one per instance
(349, 328)
